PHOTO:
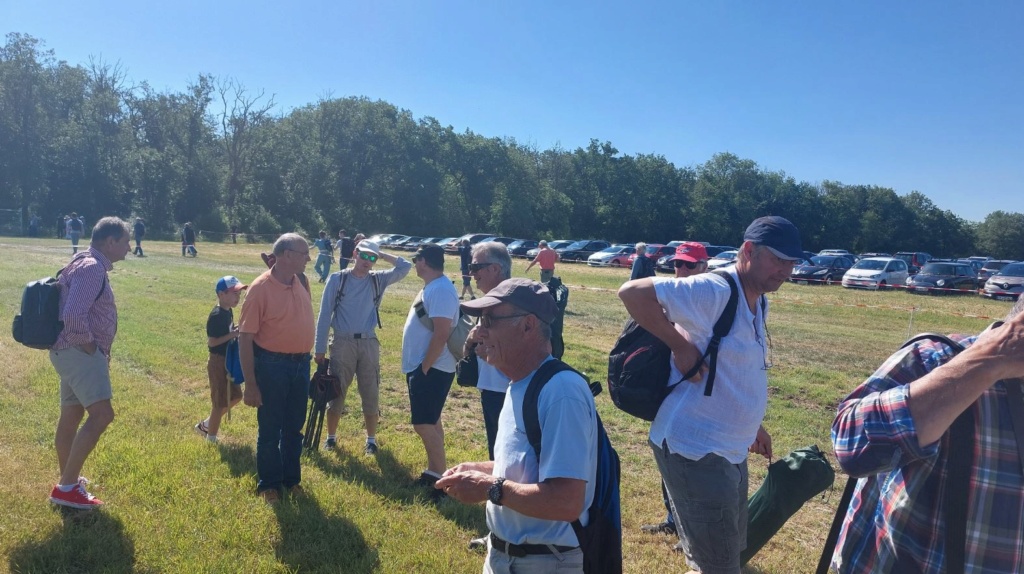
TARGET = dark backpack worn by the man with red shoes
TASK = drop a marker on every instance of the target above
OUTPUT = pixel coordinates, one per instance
(39, 325)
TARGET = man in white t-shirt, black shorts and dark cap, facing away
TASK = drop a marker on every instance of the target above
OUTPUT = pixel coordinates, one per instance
(429, 365)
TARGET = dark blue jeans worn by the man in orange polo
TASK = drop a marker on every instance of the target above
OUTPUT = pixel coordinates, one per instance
(284, 385)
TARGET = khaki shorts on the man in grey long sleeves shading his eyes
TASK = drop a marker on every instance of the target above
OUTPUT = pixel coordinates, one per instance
(360, 359)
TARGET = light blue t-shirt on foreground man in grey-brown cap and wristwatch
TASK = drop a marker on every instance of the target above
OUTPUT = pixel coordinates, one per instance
(569, 450)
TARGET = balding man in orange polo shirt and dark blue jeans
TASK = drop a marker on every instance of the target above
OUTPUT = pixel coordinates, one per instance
(276, 336)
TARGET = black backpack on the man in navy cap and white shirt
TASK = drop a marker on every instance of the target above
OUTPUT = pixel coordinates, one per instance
(639, 364)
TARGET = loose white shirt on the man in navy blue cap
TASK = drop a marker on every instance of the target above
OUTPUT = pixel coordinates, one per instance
(726, 423)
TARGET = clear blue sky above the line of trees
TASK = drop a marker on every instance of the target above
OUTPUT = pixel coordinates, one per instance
(912, 96)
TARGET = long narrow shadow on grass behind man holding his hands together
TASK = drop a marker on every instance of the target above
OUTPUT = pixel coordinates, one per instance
(393, 481)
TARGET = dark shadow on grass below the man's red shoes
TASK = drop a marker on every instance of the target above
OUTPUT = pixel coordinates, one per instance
(89, 542)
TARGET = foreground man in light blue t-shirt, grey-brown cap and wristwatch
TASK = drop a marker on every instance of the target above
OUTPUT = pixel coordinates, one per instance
(531, 503)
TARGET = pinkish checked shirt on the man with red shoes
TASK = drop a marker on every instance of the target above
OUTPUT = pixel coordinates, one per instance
(89, 314)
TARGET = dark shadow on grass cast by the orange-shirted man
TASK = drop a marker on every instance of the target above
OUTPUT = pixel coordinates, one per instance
(314, 542)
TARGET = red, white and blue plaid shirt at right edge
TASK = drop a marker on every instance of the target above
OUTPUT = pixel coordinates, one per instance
(901, 523)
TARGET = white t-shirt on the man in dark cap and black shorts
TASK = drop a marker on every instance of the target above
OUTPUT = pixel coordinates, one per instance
(440, 300)
